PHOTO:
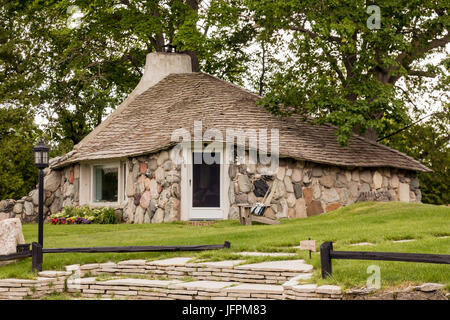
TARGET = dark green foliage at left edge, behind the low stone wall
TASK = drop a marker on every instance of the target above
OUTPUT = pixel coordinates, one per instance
(18, 135)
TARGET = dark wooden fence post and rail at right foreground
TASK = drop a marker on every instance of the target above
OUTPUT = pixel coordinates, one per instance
(327, 254)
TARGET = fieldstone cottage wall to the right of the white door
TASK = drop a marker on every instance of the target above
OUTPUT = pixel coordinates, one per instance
(302, 189)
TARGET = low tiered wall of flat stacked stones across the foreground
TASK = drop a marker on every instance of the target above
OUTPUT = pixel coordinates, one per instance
(177, 278)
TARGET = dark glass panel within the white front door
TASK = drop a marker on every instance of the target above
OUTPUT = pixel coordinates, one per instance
(205, 183)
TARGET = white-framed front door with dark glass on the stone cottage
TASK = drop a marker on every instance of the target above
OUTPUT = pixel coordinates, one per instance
(205, 175)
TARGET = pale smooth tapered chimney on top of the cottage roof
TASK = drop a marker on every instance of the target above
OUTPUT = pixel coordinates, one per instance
(158, 65)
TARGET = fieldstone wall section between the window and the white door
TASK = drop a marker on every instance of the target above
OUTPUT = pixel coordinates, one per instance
(152, 189)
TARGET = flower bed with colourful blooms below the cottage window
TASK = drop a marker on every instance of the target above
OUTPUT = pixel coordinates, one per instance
(84, 215)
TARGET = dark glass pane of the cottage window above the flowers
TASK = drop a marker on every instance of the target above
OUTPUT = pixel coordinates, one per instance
(105, 184)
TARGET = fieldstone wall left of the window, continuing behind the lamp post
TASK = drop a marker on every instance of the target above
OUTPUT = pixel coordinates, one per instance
(61, 188)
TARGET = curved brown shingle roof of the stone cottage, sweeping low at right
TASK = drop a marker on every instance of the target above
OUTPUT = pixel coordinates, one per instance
(146, 125)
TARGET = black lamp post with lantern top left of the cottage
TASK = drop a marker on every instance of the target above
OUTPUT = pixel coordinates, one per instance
(41, 161)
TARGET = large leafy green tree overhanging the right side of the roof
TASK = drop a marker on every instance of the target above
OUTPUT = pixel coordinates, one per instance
(343, 71)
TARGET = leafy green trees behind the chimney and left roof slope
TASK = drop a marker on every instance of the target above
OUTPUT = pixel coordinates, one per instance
(82, 58)
